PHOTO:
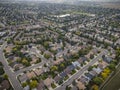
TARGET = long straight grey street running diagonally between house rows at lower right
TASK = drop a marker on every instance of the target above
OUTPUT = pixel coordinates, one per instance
(80, 72)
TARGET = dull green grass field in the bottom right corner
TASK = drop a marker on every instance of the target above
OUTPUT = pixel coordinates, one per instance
(114, 82)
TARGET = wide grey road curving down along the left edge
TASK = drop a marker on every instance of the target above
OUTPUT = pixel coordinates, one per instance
(12, 77)
